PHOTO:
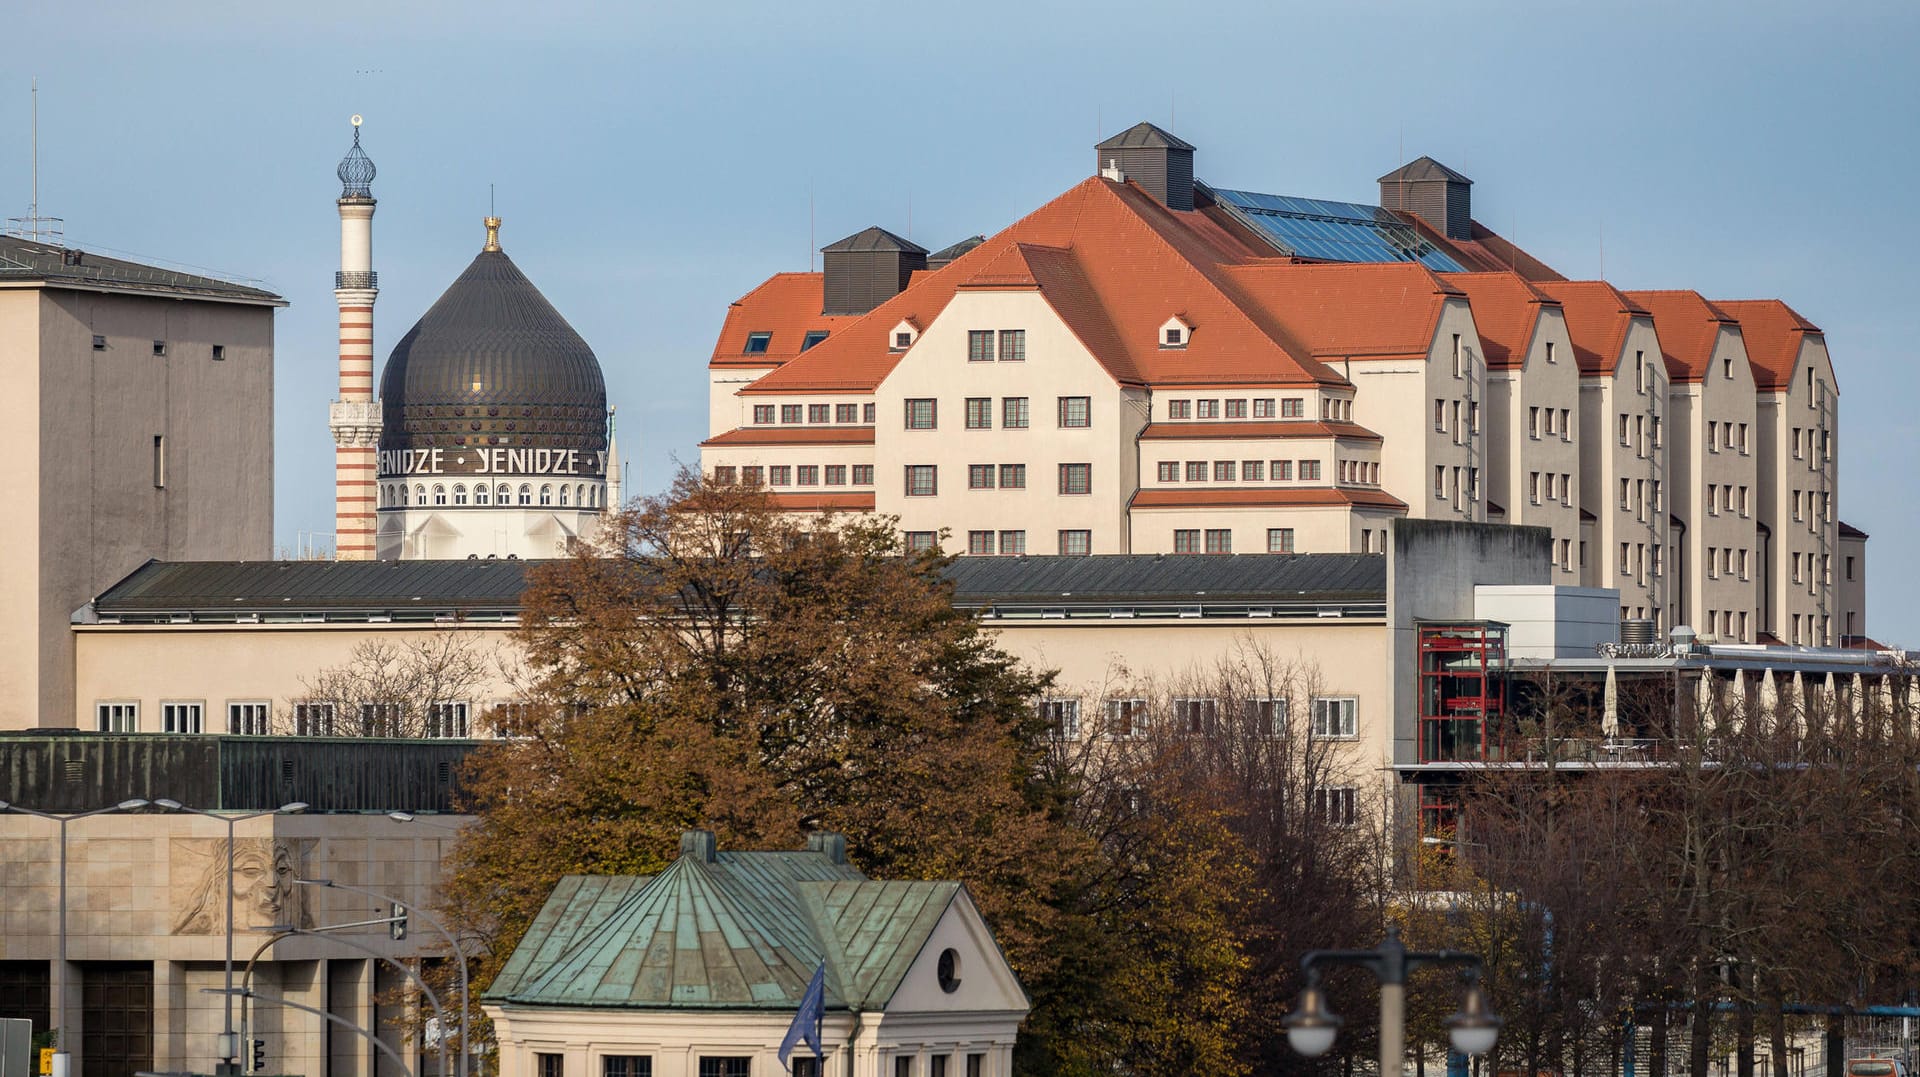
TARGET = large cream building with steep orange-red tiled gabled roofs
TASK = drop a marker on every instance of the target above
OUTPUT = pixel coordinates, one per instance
(1153, 364)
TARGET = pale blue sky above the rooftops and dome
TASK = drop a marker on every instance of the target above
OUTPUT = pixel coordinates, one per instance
(654, 162)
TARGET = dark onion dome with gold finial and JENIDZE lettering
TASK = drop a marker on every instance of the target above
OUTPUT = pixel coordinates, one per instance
(494, 366)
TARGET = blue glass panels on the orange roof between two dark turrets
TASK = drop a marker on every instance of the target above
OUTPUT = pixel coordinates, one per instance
(1333, 231)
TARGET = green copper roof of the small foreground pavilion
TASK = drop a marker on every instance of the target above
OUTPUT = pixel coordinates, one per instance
(725, 930)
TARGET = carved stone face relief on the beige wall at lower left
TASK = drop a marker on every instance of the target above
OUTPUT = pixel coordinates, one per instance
(262, 884)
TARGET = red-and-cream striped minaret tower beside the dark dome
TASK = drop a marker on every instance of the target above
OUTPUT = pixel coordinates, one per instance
(356, 416)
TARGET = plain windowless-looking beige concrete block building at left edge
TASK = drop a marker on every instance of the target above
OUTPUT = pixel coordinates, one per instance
(147, 431)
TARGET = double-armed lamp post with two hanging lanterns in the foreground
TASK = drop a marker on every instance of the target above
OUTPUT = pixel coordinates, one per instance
(1312, 1026)
